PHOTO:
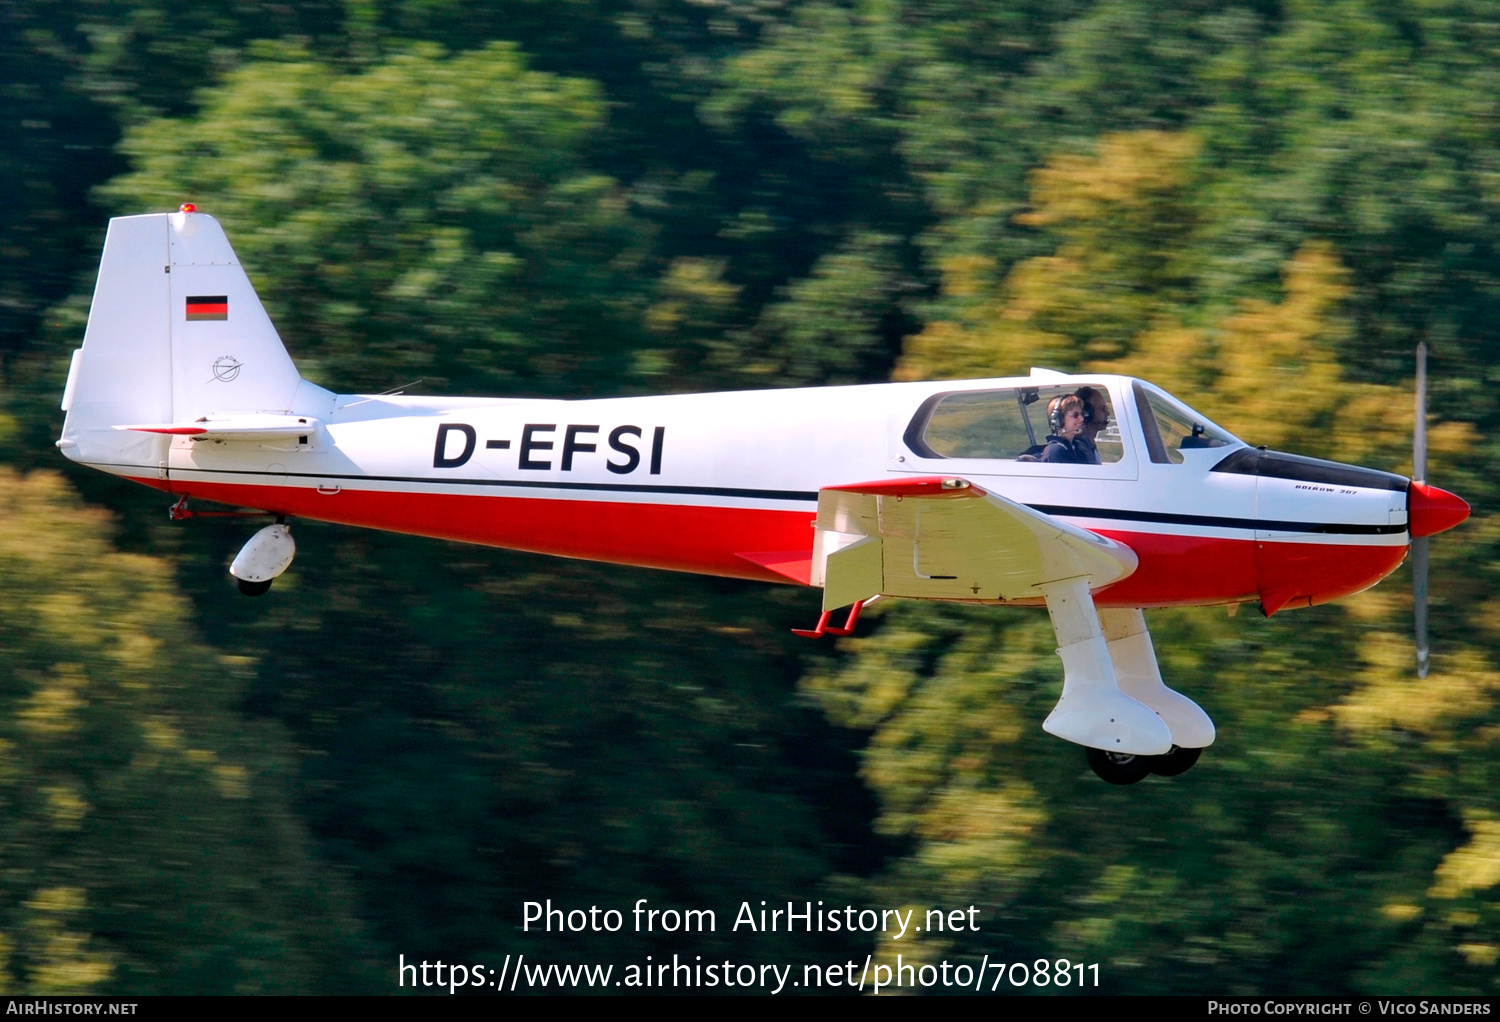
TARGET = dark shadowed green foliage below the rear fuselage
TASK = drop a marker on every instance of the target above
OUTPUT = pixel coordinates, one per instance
(514, 729)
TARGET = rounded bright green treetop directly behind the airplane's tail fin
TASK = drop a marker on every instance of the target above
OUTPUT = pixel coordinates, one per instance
(428, 218)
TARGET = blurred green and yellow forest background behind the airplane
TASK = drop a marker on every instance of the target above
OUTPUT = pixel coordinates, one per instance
(1259, 205)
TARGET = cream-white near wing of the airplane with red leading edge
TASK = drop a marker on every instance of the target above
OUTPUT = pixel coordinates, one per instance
(947, 540)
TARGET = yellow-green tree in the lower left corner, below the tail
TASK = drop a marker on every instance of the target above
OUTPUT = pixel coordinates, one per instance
(149, 844)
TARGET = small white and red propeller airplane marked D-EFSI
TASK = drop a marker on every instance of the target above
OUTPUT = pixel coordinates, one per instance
(1094, 496)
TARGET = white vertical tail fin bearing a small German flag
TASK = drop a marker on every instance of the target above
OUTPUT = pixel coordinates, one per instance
(175, 332)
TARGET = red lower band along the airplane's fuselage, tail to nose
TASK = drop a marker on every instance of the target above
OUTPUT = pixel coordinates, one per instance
(1175, 571)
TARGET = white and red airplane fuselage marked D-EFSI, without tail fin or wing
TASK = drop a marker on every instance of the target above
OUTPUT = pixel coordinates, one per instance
(727, 484)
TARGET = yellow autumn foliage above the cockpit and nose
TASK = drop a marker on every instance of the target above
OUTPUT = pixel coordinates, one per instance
(1112, 299)
